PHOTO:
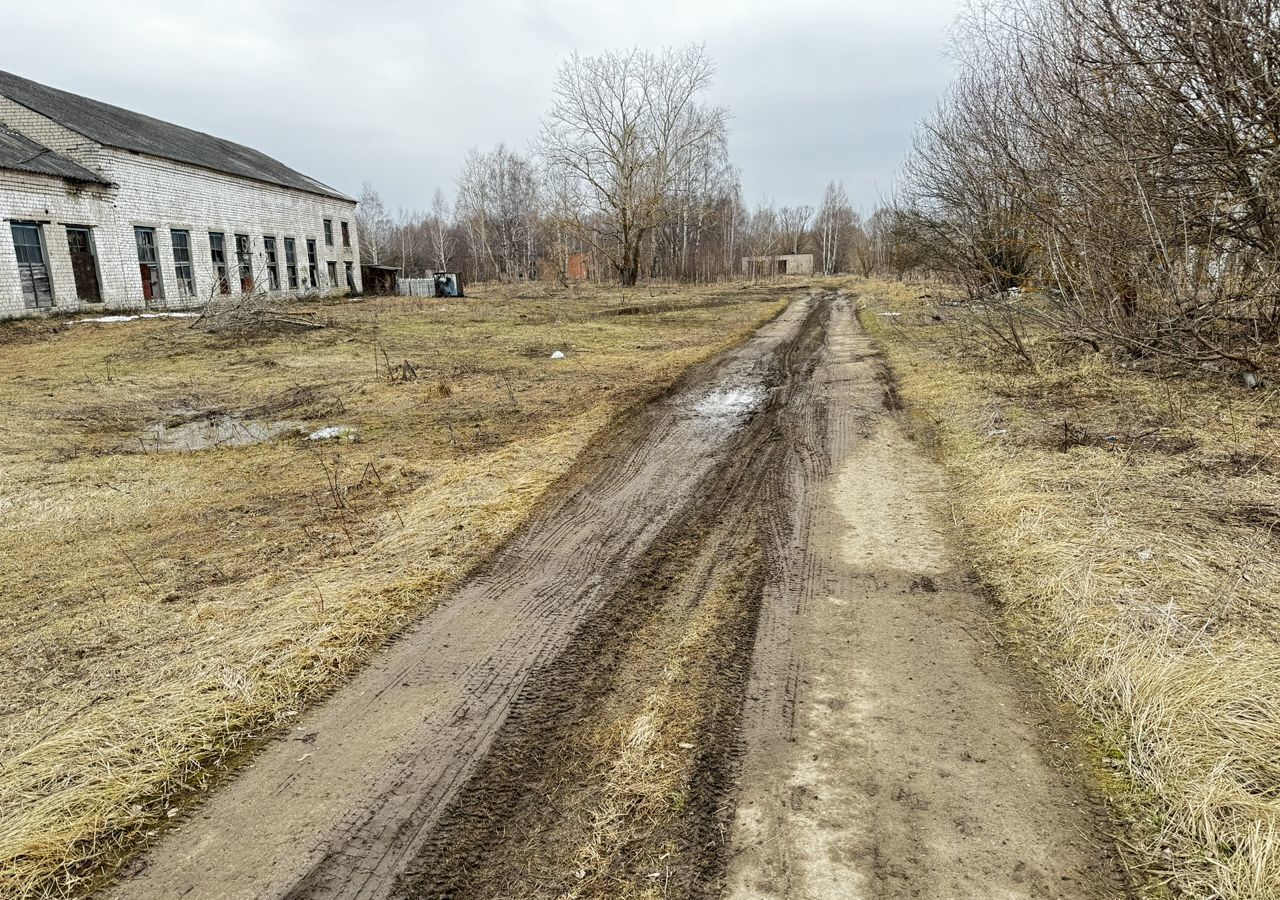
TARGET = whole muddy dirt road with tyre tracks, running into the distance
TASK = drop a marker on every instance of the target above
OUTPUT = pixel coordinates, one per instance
(734, 657)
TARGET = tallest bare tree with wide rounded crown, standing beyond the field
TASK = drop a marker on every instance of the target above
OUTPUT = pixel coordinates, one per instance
(625, 134)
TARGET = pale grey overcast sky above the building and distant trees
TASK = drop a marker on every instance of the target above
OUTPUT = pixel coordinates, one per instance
(395, 93)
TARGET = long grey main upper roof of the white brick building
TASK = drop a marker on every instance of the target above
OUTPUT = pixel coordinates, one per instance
(125, 130)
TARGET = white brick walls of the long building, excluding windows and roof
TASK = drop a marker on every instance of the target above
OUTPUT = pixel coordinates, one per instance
(153, 193)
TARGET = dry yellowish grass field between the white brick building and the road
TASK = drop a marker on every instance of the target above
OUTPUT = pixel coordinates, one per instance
(163, 609)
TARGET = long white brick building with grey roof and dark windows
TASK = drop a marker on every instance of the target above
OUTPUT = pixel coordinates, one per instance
(109, 209)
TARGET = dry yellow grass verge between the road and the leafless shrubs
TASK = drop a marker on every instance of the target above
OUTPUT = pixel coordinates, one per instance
(1130, 522)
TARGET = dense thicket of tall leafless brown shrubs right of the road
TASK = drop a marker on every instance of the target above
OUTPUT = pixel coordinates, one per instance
(1121, 156)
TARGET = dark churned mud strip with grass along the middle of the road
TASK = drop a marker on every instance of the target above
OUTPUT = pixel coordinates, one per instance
(614, 775)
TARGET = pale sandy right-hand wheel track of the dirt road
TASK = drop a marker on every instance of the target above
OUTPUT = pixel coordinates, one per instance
(892, 750)
